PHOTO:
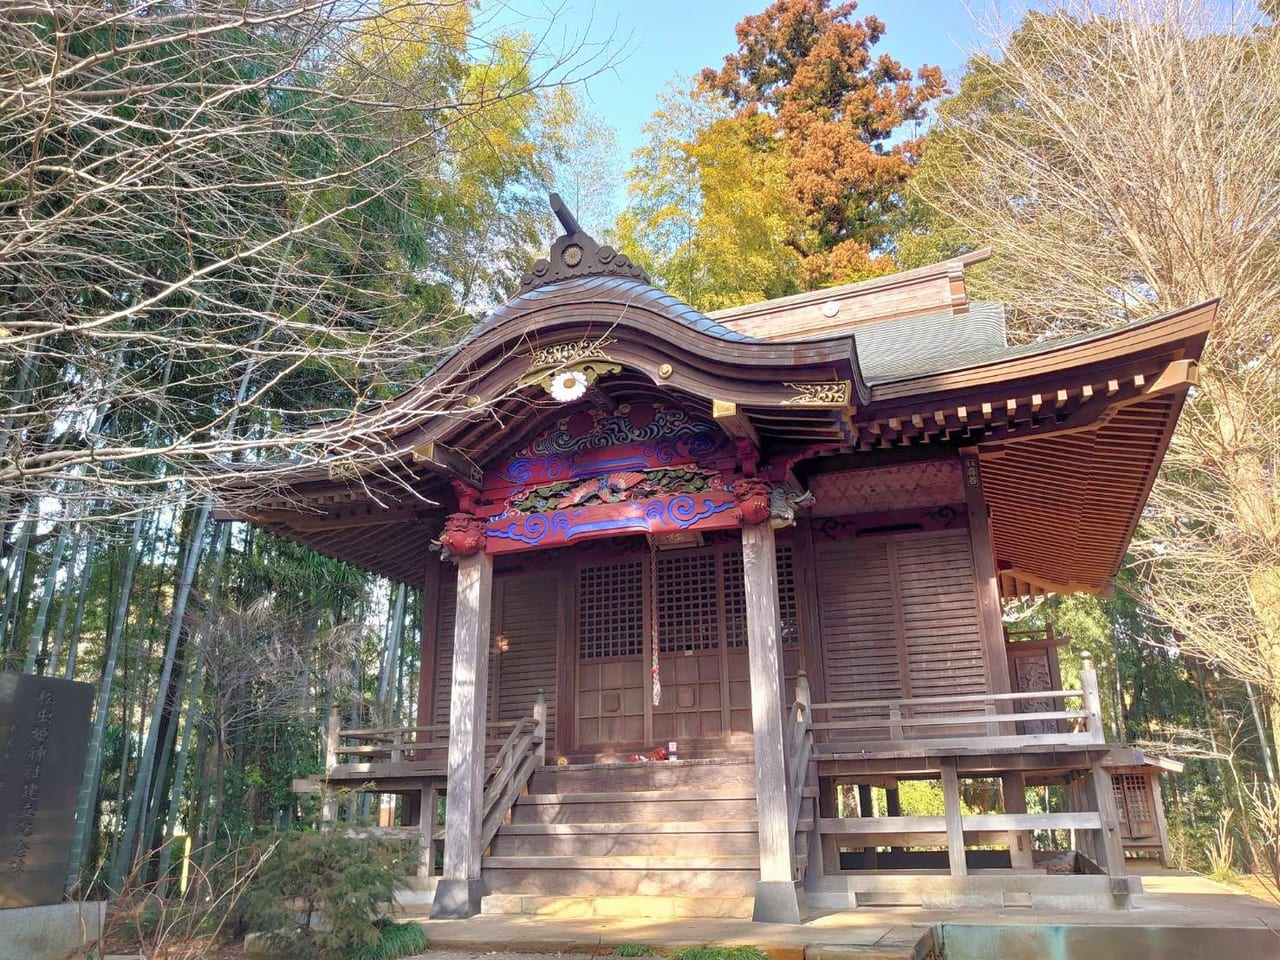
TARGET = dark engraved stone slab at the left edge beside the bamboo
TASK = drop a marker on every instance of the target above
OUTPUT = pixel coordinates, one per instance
(44, 734)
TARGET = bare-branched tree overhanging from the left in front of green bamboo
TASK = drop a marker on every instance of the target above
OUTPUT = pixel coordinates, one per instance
(227, 226)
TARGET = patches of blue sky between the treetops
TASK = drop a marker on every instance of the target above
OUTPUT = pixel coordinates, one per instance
(661, 40)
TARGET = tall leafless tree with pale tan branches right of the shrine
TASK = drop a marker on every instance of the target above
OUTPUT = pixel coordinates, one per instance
(1123, 159)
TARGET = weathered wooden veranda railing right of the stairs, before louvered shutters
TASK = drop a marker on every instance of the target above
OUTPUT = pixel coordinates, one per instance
(920, 720)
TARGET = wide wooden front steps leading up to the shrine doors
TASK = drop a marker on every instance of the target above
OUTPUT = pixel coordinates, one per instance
(666, 839)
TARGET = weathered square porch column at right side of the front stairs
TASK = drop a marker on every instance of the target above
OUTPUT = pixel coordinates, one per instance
(779, 899)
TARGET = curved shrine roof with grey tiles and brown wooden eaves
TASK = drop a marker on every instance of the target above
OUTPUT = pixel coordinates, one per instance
(1071, 432)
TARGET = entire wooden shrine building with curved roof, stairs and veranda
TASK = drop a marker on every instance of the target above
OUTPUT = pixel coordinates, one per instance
(780, 538)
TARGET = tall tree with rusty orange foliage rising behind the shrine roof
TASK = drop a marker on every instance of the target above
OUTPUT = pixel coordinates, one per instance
(810, 70)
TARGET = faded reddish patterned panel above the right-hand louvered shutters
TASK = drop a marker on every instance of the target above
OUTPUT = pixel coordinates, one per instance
(927, 484)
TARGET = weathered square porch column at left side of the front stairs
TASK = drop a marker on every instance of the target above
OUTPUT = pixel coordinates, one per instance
(460, 888)
